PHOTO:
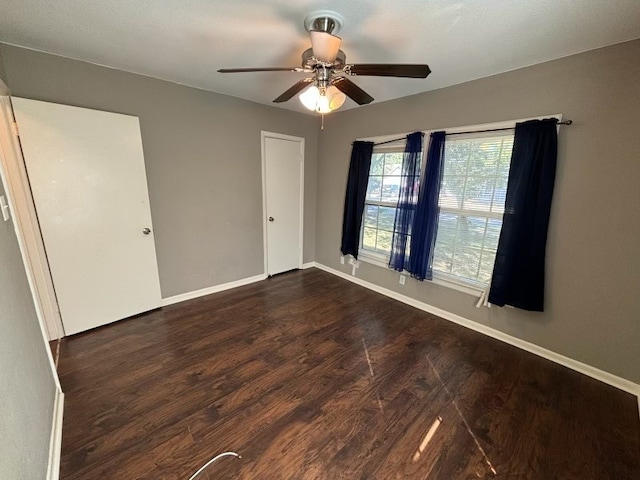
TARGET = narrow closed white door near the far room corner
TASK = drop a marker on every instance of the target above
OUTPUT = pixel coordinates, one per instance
(283, 174)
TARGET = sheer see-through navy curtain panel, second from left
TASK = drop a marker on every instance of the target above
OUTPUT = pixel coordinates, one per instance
(407, 199)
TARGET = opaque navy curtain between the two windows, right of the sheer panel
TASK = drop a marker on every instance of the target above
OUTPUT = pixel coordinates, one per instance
(425, 219)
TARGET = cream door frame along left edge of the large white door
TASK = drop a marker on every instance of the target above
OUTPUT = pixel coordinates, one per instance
(26, 221)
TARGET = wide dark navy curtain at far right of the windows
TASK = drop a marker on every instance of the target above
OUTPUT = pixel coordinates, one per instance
(518, 274)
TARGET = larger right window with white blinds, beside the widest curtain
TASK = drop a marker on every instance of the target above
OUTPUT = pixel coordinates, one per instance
(472, 195)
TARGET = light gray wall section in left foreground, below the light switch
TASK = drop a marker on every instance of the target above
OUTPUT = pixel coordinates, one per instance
(28, 388)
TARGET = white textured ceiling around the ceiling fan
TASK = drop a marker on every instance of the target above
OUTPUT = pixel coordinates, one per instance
(186, 41)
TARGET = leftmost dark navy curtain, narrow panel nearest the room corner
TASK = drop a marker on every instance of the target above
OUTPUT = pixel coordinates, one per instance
(354, 199)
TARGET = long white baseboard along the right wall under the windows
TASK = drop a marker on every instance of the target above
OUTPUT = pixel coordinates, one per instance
(588, 370)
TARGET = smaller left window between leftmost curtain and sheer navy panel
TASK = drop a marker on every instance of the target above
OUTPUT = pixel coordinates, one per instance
(380, 203)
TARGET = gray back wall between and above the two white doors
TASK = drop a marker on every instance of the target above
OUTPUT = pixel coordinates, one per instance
(202, 154)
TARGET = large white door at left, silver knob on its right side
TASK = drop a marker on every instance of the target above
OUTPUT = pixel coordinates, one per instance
(86, 170)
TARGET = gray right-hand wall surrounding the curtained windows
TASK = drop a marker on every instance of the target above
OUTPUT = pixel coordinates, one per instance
(593, 271)
